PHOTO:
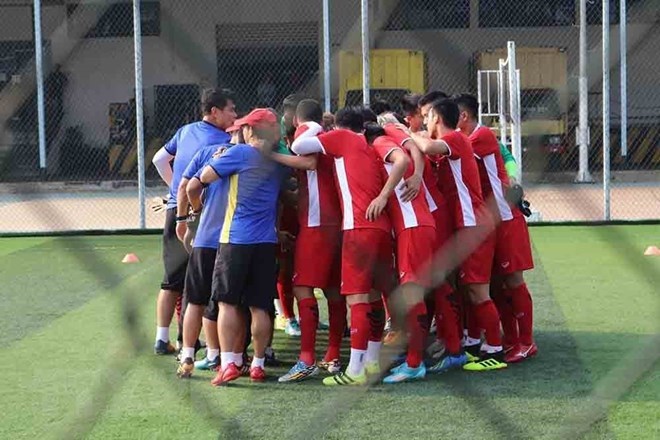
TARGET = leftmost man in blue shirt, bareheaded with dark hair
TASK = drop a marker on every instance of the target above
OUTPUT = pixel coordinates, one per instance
(171, 161)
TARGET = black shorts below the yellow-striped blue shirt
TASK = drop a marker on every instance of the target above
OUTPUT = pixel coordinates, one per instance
(246, 275)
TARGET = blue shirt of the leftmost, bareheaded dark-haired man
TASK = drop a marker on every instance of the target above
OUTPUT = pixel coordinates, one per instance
(183, 146)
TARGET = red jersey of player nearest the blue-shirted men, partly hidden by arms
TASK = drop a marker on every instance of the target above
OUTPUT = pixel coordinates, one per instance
(318, 204)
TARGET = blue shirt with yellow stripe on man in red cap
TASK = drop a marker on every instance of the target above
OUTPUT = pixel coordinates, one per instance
(254, 187)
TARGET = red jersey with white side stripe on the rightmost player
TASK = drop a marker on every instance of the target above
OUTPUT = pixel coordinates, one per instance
(492, 173)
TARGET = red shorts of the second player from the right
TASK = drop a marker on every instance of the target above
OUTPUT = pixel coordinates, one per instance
(477, 267)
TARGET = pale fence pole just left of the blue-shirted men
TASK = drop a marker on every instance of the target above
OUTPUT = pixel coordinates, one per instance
(139, 117)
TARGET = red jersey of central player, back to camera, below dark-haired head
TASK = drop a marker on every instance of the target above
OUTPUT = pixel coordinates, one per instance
(358, 178)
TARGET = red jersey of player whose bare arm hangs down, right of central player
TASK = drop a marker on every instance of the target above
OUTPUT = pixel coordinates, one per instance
(404, 215)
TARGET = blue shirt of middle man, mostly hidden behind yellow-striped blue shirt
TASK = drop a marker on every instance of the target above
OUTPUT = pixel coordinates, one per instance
(215, 200)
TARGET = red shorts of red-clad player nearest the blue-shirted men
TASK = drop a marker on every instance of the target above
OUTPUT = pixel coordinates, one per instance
(317, 259)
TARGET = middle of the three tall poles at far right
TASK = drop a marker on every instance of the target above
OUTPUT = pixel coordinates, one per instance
(606, 110)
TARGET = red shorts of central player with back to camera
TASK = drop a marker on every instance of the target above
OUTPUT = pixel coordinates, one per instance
(366, 261)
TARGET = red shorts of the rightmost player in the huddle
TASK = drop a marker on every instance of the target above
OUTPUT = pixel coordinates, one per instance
(513, 249)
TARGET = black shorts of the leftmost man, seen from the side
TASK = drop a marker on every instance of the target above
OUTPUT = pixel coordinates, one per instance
(175, 257)
